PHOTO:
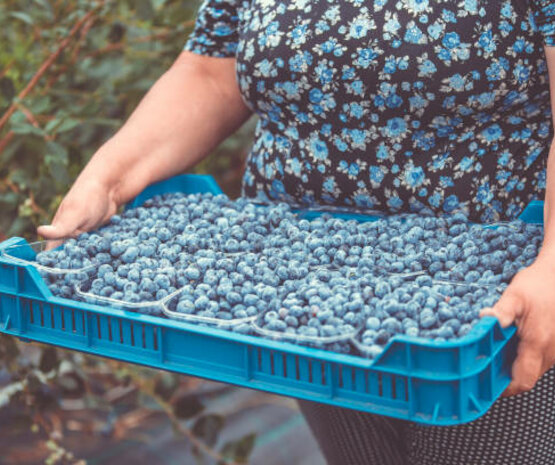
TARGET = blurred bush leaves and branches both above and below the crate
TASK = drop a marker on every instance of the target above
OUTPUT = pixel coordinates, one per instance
(70, 73)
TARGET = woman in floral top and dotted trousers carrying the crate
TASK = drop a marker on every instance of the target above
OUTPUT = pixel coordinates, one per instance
(388, 104)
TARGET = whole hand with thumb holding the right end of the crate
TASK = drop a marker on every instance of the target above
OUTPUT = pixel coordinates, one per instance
(529, 302)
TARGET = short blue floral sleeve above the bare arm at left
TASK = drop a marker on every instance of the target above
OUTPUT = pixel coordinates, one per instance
(216, 29)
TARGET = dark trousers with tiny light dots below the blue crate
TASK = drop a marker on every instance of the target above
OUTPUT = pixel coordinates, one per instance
(518, 430)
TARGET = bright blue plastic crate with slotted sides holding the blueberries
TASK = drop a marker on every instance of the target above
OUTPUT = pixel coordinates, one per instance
(436, 383)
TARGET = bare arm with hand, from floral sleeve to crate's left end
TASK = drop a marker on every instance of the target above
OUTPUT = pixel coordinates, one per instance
(193, 107)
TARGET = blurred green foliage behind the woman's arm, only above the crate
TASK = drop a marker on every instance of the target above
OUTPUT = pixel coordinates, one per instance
(94, 60)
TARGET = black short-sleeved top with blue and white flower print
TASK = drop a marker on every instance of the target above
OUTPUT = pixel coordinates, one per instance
(394, 105)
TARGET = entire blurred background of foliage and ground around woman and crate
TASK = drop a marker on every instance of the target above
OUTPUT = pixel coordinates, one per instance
(71, 71)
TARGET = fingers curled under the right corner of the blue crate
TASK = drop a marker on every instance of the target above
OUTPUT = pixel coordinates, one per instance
(527, 368)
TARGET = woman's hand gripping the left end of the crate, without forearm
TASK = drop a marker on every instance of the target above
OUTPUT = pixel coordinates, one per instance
(88, 205)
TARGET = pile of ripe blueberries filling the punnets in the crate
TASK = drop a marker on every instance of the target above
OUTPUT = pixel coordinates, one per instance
(340, 284)
